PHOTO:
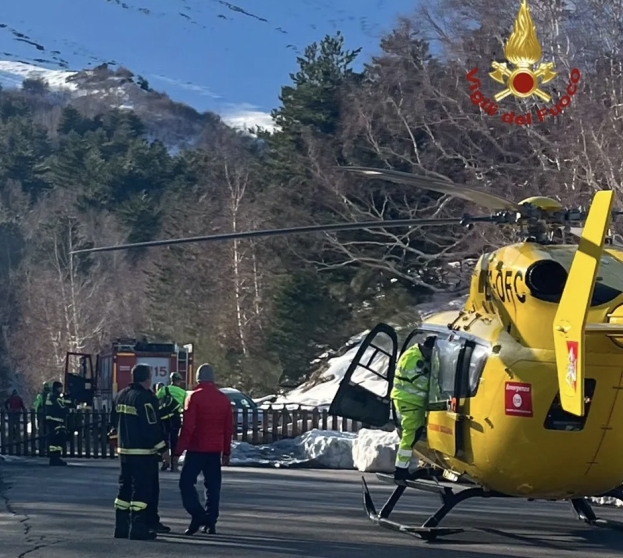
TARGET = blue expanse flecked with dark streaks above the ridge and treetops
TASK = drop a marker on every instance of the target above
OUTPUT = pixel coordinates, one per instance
(207, 53)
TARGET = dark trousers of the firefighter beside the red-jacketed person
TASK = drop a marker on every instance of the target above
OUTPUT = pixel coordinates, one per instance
(138, 476)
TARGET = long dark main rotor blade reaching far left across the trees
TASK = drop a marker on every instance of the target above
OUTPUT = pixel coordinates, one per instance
(279, 232)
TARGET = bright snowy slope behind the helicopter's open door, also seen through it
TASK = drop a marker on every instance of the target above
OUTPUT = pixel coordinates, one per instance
(320, 390)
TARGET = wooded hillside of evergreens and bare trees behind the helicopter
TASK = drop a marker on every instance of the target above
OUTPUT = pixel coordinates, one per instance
(76, 175)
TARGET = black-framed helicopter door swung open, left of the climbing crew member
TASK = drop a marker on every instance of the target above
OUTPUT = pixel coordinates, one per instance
(364, 391)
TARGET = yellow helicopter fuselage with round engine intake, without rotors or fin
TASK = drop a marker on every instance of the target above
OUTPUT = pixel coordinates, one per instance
(510, 436)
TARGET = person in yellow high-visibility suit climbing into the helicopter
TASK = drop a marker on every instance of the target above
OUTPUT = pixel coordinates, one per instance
(410, 398)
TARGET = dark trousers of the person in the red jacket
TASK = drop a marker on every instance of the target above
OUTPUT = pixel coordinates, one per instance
(210, 465)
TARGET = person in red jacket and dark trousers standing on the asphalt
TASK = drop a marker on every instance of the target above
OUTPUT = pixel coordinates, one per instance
(206, 437)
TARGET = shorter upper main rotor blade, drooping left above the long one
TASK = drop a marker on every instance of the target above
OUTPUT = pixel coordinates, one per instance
(483, 199)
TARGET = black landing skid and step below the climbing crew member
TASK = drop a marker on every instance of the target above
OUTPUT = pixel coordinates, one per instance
(429, 530)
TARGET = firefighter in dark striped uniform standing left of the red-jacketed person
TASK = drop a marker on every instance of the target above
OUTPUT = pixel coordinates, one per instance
(140, 443)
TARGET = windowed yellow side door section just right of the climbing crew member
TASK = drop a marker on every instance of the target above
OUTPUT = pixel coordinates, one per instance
(449, 386)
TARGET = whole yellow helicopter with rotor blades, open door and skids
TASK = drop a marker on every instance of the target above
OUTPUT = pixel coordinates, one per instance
(526, 395)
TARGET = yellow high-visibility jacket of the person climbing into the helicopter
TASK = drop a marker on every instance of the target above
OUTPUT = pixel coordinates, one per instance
(412, 378)
